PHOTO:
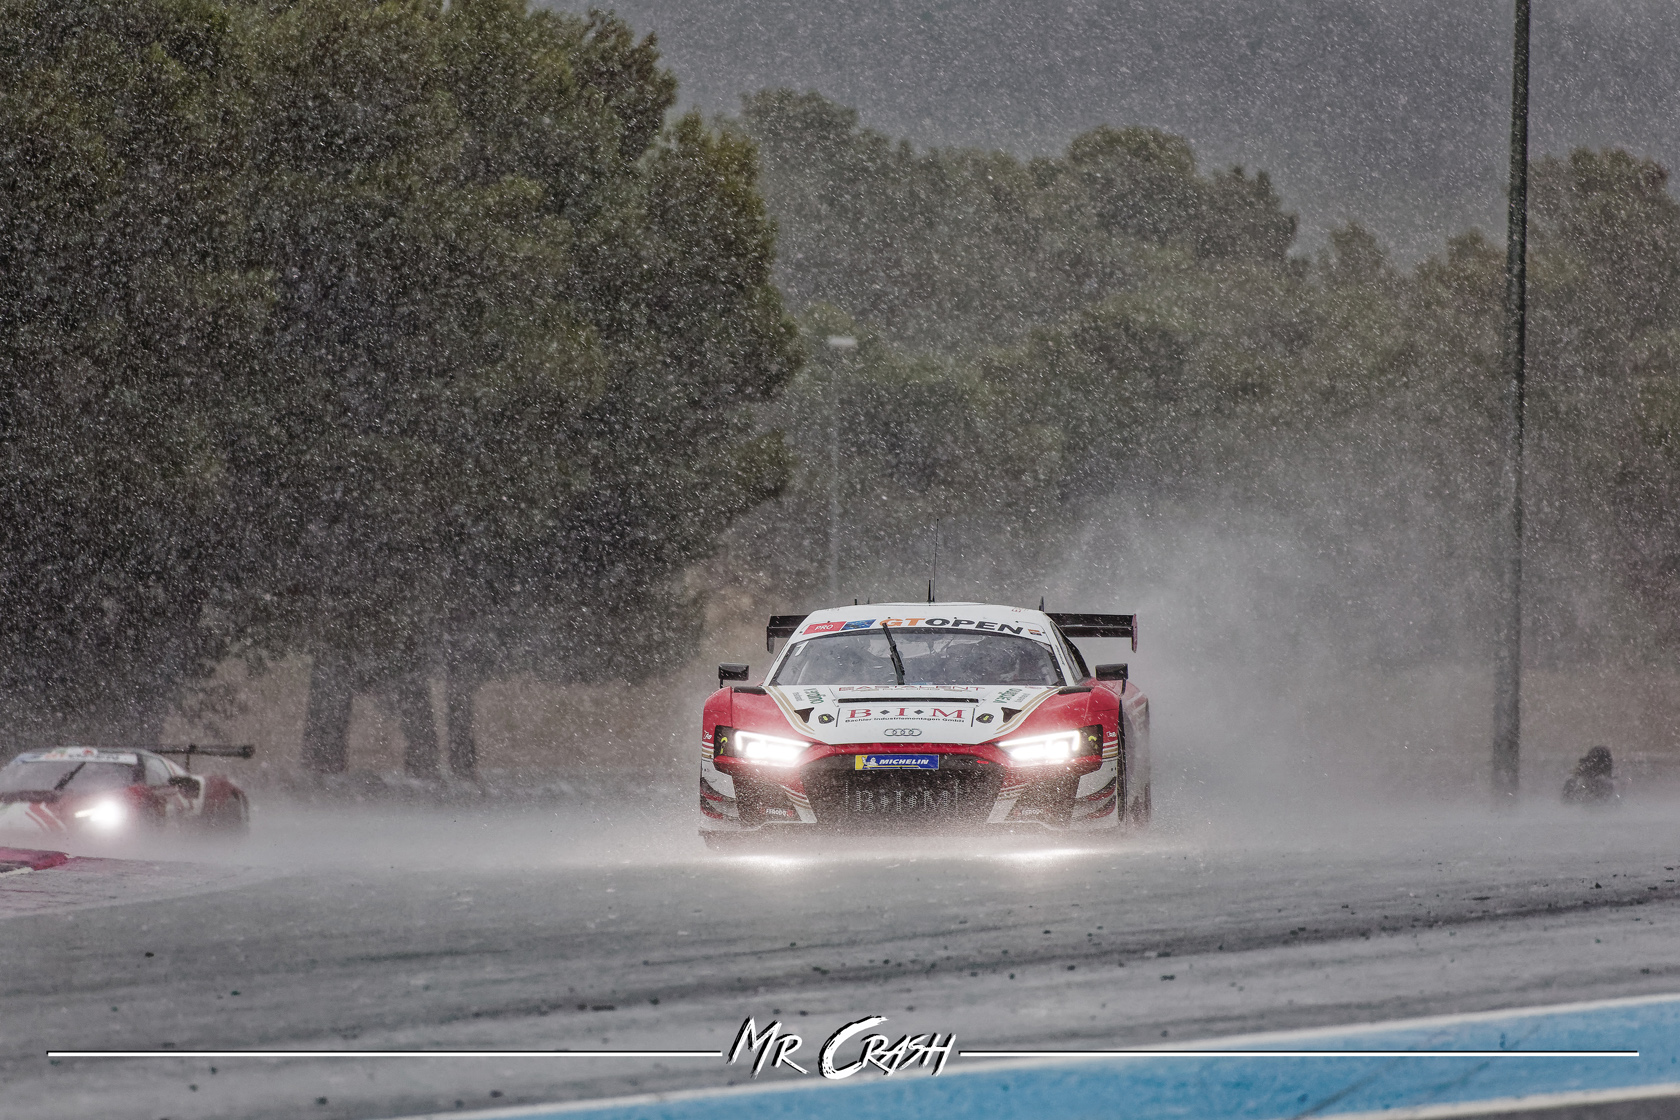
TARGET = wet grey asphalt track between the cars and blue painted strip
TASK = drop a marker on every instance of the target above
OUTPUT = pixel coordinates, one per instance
(614, 929)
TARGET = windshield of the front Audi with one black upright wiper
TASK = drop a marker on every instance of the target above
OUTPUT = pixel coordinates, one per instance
(932, 657)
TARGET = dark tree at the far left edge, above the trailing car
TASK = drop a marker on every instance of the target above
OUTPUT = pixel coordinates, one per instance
(125, 315)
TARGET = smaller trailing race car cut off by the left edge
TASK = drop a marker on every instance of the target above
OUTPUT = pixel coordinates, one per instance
(110, 793)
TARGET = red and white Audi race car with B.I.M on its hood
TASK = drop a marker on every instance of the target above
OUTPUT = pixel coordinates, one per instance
(920, 714)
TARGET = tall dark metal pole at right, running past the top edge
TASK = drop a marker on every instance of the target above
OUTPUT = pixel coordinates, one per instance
(1508, 676)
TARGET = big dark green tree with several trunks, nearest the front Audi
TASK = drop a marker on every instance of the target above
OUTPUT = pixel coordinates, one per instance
(517, 328)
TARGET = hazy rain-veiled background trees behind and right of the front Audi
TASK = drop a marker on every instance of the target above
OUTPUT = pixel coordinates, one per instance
(1071, 342)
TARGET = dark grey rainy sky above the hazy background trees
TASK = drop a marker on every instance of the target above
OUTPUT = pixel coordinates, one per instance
(1394, 113)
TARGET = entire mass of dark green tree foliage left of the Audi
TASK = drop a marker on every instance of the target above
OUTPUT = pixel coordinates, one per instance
(392, 333)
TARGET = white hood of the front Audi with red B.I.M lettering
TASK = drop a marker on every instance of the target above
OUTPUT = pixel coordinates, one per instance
(957, 714)
